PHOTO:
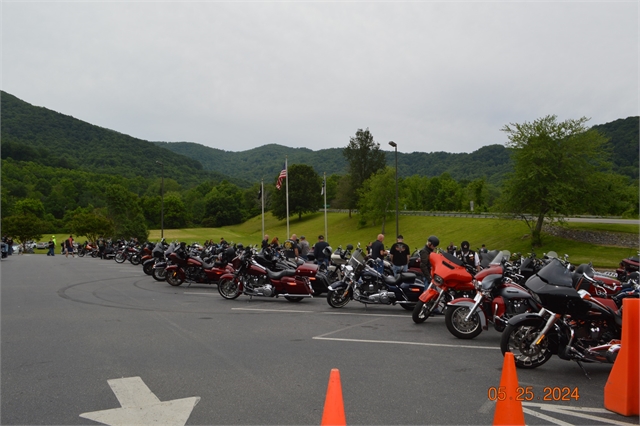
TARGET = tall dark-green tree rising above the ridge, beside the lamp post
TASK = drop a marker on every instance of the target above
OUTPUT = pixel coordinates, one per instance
(365, 158)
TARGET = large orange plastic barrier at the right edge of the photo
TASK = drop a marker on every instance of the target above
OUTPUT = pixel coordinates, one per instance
(621, 391)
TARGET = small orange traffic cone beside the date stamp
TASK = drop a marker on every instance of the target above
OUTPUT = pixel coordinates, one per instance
(509, 408)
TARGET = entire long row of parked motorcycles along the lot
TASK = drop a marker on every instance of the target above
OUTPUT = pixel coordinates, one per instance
(542, 306)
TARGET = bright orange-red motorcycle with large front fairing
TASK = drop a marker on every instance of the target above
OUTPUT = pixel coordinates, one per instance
(451, 278)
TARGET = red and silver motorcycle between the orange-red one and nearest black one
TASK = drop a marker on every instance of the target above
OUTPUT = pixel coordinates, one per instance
(498, 299)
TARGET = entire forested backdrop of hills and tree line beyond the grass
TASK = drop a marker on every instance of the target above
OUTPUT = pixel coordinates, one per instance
(60, 173)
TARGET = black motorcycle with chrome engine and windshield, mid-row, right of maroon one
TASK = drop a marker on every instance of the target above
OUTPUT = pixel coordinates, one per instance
(364, 284)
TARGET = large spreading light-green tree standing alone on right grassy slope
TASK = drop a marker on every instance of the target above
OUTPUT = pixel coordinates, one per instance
(558, 170)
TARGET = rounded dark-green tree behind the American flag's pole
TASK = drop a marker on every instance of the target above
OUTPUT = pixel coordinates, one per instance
(305, 187)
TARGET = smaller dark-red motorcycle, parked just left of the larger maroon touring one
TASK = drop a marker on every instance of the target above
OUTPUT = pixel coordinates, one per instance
(195, 270)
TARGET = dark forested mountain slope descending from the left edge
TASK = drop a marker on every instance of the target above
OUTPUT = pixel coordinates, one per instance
(46, 137)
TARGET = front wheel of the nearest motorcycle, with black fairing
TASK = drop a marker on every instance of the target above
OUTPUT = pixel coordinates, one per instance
(518, 340)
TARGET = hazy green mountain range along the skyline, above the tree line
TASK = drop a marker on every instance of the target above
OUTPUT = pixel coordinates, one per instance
(37, 134)
